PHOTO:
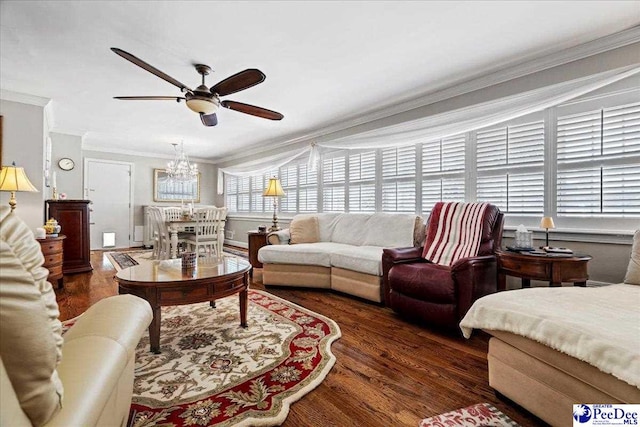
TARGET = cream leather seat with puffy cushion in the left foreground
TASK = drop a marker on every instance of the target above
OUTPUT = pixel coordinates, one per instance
(84, 378)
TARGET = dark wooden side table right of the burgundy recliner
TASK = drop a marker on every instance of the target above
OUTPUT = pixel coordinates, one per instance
(554, 269)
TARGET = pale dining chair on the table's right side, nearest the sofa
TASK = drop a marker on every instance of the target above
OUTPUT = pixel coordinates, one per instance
(209, 231)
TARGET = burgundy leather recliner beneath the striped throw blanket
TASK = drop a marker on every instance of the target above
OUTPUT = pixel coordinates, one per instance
(437, 294)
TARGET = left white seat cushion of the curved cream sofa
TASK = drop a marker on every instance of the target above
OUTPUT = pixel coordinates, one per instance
(304, 253)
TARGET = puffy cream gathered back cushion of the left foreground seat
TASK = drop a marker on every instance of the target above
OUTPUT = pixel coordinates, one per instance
(30, 332)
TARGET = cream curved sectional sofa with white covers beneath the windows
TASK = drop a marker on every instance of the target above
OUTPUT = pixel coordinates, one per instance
(344, 252)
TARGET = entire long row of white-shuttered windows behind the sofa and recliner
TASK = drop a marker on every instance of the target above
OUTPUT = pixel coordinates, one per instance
(591, 147)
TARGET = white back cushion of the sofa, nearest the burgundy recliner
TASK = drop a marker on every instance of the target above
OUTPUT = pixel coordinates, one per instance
(390, 230)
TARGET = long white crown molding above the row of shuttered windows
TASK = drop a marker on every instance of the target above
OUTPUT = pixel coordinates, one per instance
(485, 78)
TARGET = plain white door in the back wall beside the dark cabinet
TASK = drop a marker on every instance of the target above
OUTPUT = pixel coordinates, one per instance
(108, 186)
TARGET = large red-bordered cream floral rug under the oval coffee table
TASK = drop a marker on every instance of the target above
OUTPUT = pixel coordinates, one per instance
(213, 372)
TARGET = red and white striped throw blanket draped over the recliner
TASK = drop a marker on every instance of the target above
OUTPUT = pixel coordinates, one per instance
(454, 232)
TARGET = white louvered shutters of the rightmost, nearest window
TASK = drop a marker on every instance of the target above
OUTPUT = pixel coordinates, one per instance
(599, 162)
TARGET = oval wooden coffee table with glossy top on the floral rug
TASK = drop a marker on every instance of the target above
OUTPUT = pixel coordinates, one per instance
(164, 283)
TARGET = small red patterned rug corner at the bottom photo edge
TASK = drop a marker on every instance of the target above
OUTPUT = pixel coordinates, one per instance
(481, 414)
